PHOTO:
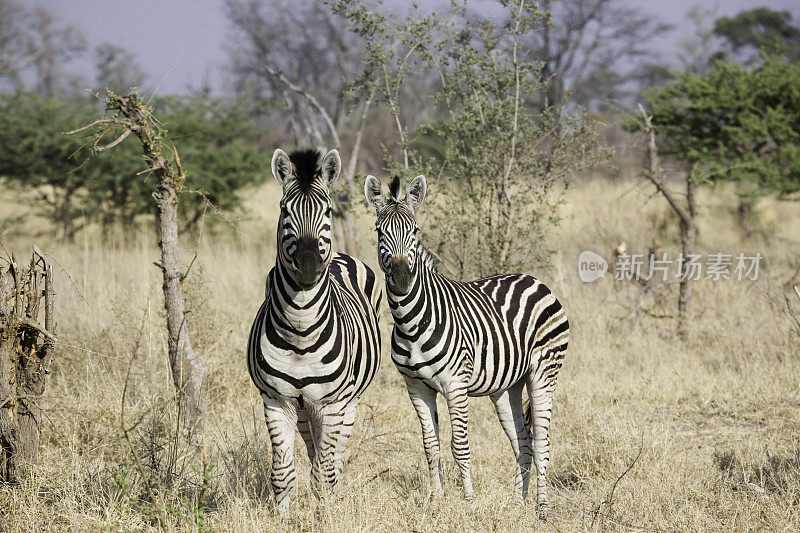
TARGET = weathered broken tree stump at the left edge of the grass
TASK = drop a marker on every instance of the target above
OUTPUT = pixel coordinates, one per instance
(25, 352)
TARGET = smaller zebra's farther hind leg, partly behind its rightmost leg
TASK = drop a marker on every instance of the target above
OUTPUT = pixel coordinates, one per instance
(508, 405)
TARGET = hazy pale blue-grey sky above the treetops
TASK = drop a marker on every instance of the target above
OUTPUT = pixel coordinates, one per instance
(184, 40)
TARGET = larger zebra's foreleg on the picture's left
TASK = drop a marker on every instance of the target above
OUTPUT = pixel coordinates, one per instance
(281, 421)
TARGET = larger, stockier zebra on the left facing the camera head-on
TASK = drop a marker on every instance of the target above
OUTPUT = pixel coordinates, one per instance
(315, 344)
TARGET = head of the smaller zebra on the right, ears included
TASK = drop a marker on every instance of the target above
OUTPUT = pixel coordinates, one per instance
(397, 229)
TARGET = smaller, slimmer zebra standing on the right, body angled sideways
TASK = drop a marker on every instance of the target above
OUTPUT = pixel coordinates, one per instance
(493, 336)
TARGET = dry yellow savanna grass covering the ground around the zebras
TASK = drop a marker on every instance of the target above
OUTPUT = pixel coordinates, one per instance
(650, 432)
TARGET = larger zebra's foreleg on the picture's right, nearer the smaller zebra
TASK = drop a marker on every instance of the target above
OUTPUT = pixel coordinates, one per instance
(334, 429)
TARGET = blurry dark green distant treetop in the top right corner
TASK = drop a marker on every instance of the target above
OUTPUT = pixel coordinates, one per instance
(761, 29)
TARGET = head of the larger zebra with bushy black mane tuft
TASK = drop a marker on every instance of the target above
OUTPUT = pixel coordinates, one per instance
(304, 227)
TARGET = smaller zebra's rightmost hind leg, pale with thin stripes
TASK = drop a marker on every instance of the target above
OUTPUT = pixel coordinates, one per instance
(541, 404)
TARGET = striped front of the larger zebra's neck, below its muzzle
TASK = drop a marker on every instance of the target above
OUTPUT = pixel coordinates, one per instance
(299, 313)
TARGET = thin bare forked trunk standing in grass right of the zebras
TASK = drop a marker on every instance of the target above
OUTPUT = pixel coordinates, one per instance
(687, 216)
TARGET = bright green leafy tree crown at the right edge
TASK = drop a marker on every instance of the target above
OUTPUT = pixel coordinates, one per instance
(734, 123)
